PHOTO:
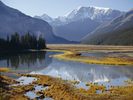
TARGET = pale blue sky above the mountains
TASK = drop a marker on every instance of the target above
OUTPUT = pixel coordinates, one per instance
(56, 8)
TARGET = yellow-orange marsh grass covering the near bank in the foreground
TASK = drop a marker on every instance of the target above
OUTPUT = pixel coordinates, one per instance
(62, 90)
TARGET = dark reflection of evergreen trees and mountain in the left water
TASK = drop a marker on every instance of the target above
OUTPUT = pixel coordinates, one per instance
(26, 61)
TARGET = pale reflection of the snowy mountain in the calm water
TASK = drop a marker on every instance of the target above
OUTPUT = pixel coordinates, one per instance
(86, 72)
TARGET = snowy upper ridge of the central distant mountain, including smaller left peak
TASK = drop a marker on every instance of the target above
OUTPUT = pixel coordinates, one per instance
(99, 14)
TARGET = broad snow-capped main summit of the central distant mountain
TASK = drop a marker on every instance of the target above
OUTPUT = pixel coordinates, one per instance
(92, 12)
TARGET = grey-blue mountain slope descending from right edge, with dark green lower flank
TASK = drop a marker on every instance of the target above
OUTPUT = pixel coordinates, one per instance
(117, 32)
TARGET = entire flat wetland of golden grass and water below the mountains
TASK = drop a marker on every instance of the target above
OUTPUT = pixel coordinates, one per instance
(73, 72)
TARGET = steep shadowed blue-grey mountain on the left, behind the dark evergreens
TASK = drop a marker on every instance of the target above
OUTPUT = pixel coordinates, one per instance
(12, 20)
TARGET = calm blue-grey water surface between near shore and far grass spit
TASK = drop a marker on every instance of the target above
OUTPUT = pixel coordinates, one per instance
(41, 63)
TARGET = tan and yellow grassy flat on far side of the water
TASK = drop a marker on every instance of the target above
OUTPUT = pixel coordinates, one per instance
(120, 55)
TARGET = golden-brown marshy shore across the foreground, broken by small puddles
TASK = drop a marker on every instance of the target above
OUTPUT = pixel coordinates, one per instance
(61, 89)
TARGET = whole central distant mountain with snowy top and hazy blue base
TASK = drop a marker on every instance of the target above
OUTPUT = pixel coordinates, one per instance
(81, 21)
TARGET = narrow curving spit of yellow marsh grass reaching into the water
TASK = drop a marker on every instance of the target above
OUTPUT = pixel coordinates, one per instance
(72, 56)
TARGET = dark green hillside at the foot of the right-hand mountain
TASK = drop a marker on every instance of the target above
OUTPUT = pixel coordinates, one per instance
(123, 37)
